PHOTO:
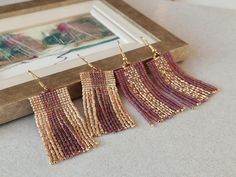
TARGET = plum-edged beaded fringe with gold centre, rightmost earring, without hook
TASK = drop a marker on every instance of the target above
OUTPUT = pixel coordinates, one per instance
(171, 80)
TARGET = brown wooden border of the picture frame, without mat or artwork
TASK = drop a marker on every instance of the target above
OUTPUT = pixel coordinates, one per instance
(14, 102)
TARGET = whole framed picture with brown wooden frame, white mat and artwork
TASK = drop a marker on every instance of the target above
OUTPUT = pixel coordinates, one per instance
(47, 36)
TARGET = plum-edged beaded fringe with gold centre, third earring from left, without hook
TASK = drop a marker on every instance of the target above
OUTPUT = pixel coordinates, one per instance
(141, 92)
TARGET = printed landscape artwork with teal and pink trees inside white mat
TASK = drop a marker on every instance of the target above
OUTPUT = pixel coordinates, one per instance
(58, 38)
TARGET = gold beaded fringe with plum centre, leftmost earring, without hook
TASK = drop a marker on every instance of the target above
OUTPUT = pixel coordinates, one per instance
(62, 129)
